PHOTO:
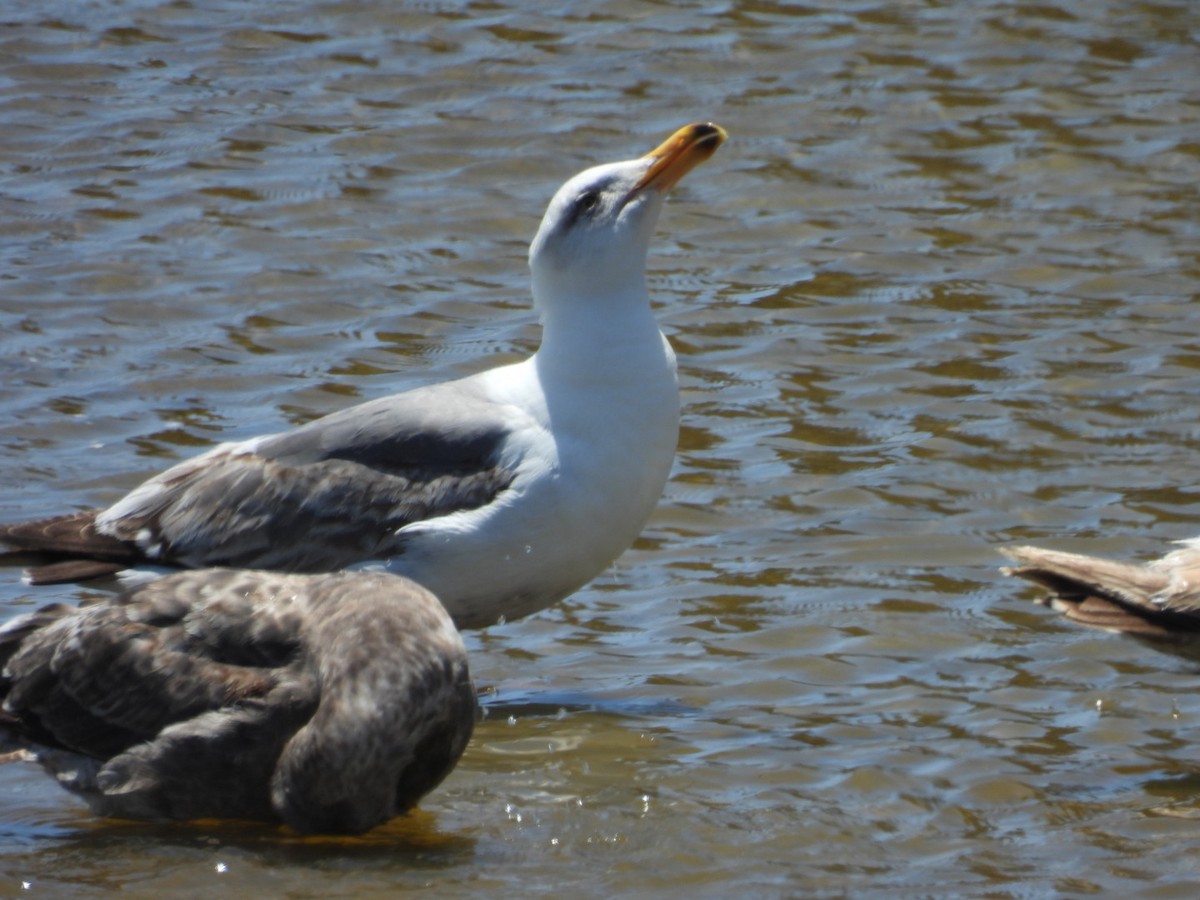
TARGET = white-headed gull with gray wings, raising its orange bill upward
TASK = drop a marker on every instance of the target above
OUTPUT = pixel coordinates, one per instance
(502, 493)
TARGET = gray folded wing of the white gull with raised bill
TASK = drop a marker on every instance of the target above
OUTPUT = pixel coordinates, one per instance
(328, 494)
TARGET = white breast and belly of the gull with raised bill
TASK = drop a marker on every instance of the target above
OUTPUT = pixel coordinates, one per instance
(590, 475)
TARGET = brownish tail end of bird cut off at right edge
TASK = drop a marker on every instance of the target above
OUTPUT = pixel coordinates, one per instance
(1157, 603)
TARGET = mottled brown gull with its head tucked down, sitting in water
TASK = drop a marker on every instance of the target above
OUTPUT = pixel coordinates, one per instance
(328, 703)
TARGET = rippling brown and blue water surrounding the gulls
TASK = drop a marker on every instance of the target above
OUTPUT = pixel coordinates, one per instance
(937, 295)
